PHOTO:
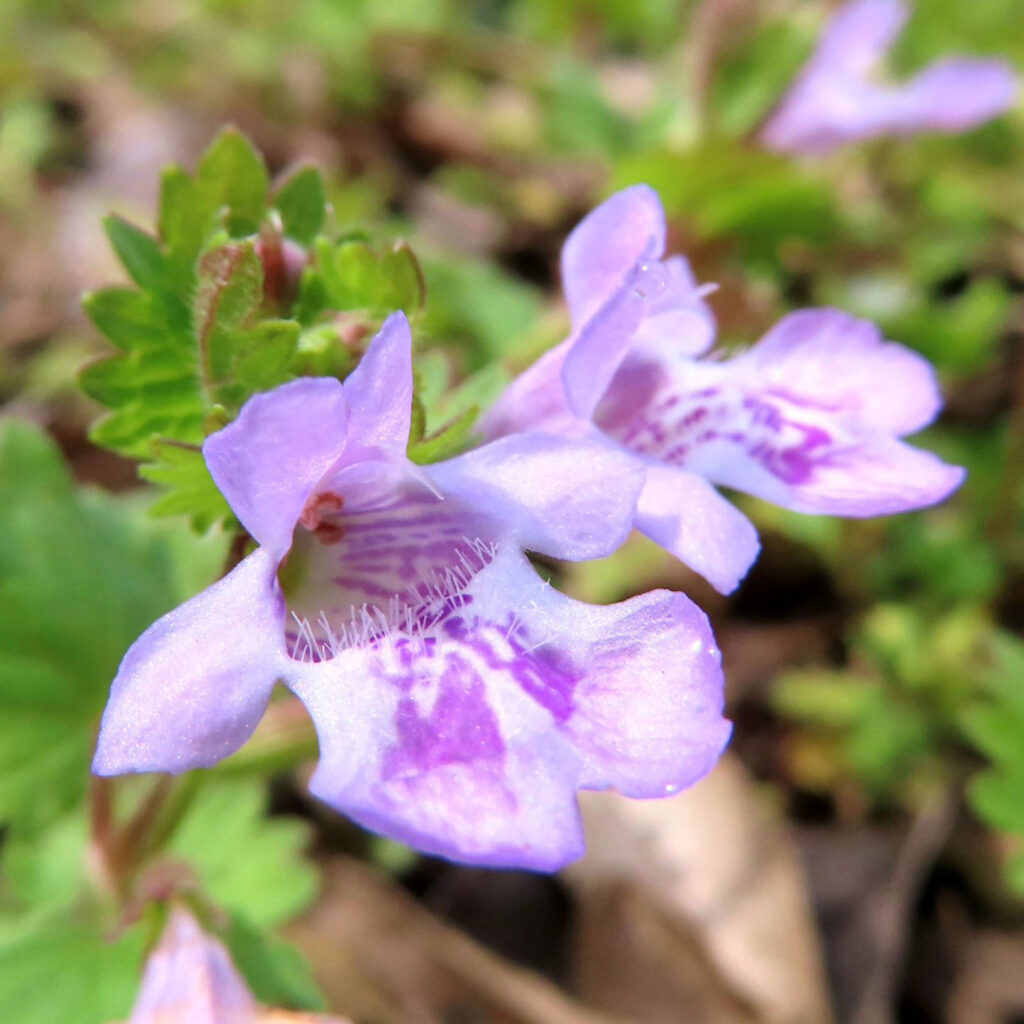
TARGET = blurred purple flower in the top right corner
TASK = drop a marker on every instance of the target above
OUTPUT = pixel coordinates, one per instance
(837, 100)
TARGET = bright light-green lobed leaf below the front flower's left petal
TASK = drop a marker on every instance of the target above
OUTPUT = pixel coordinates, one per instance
(247, 863)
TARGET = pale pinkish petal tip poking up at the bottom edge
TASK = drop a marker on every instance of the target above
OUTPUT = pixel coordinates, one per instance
(190, 977)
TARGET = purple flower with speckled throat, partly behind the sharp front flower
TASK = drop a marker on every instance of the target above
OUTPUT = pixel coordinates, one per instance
(809, 418)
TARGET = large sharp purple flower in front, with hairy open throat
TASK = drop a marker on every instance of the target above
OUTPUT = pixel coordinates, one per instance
(459, 701)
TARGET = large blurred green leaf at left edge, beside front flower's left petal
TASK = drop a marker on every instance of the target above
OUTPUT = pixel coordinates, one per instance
(81, 576)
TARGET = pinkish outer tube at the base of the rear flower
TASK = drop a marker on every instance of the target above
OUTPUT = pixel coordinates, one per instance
(535, 401)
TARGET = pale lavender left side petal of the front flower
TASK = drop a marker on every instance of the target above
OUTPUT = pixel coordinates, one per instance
(193, 688)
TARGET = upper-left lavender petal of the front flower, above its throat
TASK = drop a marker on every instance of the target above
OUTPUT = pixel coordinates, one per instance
(270, 460)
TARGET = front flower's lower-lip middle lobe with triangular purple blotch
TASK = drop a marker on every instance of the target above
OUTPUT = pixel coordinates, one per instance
(412, 747)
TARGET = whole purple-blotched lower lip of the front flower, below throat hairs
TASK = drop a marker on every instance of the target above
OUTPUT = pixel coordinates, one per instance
(472, 740)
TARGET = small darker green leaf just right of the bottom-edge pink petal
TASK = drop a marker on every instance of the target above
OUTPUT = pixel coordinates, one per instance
(277, 972)
